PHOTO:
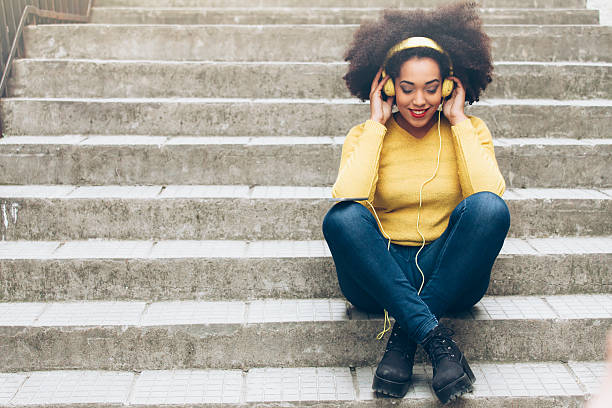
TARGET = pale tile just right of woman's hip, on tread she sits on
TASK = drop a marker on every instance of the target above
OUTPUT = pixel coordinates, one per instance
(512, 307)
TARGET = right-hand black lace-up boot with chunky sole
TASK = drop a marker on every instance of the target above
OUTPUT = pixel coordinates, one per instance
(452, 374)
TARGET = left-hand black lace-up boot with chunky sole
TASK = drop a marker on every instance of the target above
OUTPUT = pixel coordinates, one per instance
(394, 372)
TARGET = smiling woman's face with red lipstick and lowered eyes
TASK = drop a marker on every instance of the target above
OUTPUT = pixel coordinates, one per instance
(418, 91)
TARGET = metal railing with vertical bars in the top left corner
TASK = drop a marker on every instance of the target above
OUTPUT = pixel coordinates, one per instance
(16, 14)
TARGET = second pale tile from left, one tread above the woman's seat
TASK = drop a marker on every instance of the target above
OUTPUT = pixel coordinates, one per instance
(102, 249)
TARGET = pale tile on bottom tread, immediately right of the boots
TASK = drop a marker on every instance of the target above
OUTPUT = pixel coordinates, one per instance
(524, 379)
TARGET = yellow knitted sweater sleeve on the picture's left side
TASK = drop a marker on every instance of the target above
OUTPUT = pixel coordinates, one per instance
(359, 163)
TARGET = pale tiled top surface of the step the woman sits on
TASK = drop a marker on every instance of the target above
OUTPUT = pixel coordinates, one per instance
(274, 311)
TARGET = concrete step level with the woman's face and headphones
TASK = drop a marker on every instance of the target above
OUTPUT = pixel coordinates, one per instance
(161, 79)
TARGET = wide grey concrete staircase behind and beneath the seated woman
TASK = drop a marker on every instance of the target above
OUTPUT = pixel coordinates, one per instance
(164, 177)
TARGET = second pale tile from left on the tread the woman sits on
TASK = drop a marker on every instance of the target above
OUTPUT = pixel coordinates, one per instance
(91, 314)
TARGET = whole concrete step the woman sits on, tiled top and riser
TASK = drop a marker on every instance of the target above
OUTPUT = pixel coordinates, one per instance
(282, 333)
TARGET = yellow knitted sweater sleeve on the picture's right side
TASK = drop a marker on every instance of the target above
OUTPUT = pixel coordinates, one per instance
(477, 166)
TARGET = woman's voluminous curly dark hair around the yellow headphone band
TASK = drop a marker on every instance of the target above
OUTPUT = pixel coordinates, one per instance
(457, 28)
